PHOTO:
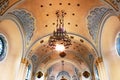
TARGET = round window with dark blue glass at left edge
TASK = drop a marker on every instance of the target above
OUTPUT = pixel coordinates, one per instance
(2, 47)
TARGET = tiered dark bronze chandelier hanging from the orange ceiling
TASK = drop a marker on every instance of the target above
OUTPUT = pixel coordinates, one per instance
(59, 35)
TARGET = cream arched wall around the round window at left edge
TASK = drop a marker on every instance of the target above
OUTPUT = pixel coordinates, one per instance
(10, 65)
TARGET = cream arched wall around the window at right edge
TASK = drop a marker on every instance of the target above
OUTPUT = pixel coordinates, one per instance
(109, 54)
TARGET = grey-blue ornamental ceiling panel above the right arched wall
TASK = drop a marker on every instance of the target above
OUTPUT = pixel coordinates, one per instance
(95, 19)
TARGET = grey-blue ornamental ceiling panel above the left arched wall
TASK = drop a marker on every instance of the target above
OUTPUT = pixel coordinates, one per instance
(26, 20)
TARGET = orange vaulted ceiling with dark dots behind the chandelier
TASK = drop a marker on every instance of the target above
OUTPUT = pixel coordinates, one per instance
(40, 14)
